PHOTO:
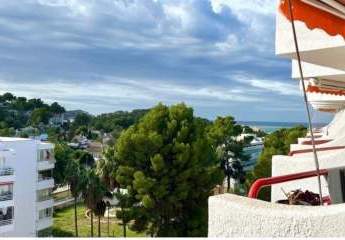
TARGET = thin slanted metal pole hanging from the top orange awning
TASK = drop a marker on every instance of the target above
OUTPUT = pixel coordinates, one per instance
(316, 160)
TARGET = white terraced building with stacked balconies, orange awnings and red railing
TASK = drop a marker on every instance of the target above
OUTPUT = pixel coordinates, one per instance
(320, 30)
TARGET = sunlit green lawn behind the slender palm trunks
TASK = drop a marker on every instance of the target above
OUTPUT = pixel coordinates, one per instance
(64, 224)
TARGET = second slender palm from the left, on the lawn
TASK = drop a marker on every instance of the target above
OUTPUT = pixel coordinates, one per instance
(93, 193)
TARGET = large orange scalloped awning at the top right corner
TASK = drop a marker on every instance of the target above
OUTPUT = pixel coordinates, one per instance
(328, 15)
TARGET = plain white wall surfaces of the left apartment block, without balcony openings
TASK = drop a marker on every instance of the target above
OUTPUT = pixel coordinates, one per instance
(25, 187)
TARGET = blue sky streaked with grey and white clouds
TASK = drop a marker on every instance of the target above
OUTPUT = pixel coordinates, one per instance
(107, 55)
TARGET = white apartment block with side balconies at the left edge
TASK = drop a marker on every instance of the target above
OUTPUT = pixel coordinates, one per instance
(26, 183)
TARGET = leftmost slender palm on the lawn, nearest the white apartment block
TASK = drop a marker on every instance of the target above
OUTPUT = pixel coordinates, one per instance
(74, 178)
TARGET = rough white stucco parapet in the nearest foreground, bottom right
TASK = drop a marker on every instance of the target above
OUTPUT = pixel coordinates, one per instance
(236, 216)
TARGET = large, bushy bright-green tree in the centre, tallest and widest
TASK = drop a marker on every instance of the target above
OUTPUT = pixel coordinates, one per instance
(169, 168)
